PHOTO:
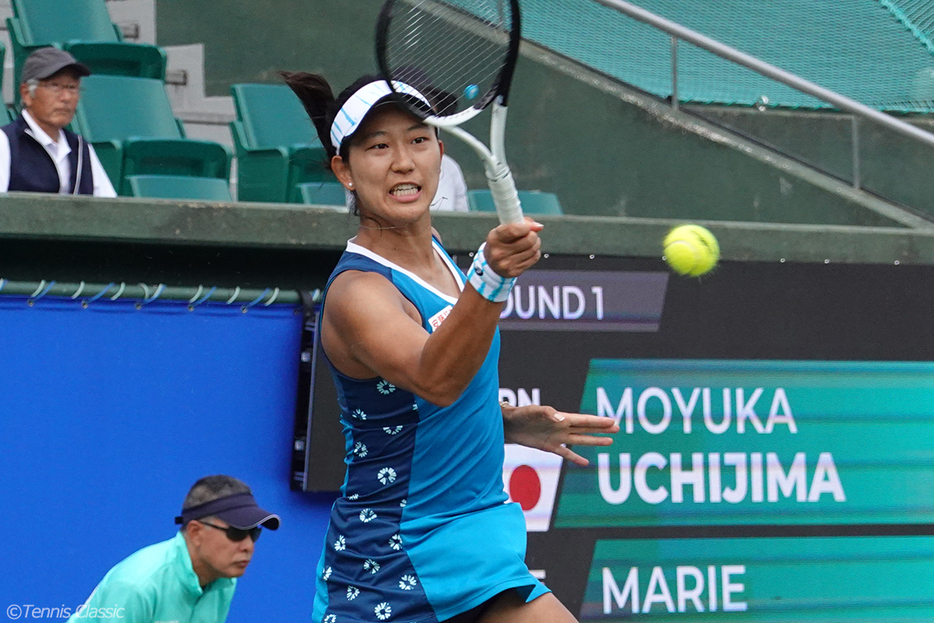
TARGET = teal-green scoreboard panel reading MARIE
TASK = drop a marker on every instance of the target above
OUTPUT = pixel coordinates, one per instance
(747, 579)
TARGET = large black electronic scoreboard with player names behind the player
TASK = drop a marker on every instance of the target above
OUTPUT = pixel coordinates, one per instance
(776, 454)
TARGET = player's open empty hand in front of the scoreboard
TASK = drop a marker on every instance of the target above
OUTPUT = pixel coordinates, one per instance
(546, 429)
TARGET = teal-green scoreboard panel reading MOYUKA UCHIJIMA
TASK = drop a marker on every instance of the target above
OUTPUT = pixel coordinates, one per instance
(765, 442)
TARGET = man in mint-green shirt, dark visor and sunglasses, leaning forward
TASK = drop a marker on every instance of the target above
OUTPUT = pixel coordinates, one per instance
(191, 577)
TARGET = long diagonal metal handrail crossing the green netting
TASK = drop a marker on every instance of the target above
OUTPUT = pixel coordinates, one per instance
(770, 71)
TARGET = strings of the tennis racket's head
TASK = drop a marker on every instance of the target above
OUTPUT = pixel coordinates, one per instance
(456, 46)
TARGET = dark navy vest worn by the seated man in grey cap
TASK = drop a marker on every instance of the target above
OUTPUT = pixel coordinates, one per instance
(32, 168)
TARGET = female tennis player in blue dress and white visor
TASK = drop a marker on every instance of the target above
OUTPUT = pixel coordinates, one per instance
(422, 531)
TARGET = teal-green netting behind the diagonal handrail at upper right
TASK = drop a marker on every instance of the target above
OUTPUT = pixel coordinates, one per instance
(878, 52)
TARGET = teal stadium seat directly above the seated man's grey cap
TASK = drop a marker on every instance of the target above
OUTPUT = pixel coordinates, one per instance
(82, 27)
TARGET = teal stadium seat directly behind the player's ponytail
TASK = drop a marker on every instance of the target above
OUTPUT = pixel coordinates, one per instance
(275, 143)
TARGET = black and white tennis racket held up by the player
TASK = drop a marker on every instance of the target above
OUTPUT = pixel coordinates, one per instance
(454, 50)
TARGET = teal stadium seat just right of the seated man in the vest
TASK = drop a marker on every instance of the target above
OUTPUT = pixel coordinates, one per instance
(134, 132)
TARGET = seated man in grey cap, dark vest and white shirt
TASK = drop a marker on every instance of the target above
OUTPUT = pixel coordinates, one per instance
(37, 153)
